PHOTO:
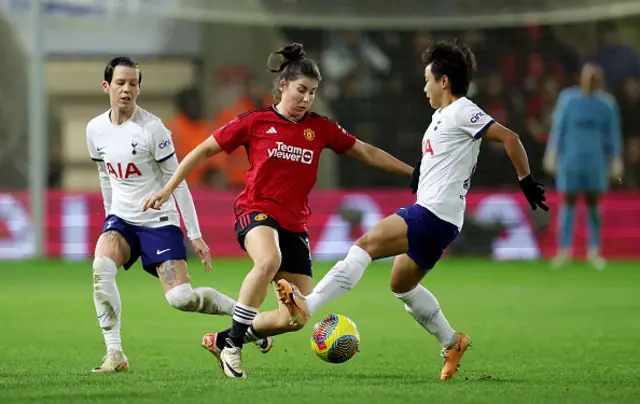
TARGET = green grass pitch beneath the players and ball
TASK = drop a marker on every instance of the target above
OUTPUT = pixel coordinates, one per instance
(539, 336)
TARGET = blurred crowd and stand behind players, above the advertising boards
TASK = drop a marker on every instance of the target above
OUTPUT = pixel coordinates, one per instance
(204, 62)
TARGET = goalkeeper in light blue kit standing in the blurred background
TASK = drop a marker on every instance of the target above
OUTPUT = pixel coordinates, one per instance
(584, 150)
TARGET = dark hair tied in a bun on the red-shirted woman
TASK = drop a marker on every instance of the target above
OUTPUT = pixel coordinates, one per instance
(293, 63)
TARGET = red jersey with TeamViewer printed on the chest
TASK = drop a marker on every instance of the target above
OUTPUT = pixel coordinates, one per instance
(284, 157)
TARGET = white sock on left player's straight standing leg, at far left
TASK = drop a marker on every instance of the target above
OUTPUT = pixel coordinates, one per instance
(107, 301)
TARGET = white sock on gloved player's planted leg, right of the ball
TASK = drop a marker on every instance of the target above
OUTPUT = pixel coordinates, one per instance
(424, 307)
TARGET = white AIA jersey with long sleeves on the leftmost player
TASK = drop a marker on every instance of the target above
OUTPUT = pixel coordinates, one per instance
(132, 154)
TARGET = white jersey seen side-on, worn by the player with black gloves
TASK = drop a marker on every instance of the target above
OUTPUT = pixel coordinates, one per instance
(450, 148)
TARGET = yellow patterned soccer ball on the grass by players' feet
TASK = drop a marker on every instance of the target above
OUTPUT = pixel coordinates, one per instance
(335, 339)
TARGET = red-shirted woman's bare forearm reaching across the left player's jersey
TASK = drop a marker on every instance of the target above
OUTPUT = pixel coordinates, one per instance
(197, 156)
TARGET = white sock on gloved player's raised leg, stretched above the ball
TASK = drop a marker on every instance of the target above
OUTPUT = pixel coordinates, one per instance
(340, 279)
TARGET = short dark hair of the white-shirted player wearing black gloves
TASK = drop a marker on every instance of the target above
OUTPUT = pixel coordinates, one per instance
(453, 60)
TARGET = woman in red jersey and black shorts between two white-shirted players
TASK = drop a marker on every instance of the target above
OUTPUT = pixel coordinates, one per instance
(283, 143)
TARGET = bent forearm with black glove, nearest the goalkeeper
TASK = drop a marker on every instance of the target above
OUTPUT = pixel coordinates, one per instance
(533, 190)
